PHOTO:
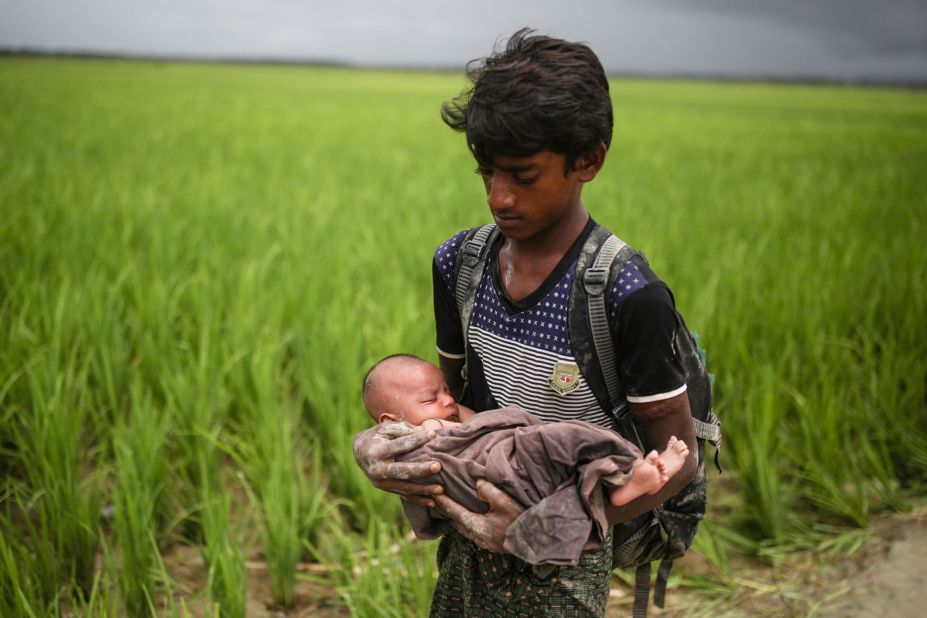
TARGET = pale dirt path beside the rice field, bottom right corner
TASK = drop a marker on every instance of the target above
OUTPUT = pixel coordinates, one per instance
(885, 578)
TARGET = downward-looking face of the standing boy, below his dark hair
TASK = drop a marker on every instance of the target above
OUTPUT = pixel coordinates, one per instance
(531, 194)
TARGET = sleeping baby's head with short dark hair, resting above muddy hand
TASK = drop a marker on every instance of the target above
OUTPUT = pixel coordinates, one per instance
(406, 388)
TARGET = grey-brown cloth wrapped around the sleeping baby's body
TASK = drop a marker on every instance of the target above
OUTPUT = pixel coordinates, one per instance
(557, 471)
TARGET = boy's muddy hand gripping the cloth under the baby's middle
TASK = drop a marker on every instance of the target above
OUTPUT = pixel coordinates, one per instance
(486, 531)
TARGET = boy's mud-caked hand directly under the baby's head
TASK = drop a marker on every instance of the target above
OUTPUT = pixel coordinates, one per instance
(375, 451)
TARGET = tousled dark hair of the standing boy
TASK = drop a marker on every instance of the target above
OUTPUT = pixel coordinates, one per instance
(539, 93)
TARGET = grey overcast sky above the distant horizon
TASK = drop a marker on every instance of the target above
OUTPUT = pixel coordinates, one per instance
(835, 39)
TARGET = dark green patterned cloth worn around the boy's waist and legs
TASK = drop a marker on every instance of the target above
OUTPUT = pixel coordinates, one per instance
(476, 583)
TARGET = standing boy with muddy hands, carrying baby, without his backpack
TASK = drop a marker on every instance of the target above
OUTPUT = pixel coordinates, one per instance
(538, 121)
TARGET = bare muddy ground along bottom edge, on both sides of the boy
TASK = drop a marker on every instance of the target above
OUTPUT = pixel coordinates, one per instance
(885, 577)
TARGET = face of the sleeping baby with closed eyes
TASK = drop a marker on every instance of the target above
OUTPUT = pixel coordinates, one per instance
(421, 394)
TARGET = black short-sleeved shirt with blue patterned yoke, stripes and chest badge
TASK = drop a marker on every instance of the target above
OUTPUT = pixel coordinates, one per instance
(520, 352)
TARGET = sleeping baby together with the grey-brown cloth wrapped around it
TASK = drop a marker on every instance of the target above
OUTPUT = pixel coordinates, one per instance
(555, 469)
